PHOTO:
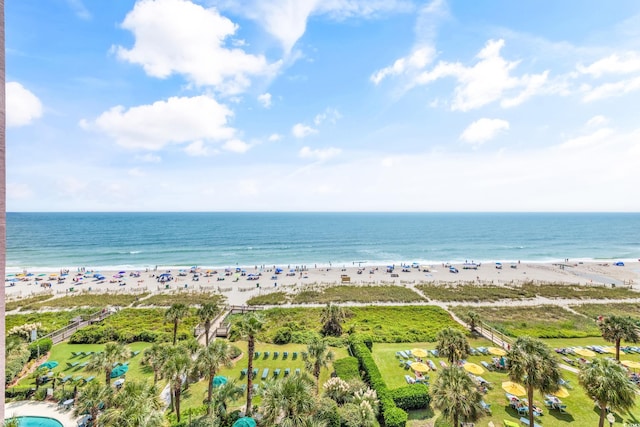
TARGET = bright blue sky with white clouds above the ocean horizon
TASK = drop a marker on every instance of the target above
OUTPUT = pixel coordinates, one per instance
(333, 105)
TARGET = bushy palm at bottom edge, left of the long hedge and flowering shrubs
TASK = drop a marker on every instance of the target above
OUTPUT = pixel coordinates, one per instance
(289, 401)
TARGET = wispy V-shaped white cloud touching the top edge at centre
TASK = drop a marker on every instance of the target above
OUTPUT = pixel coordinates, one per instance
(286, 20)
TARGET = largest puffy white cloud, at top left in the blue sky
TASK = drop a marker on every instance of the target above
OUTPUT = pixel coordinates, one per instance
(177, 36)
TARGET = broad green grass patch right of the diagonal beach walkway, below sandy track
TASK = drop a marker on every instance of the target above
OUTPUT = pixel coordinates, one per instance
(539, 321)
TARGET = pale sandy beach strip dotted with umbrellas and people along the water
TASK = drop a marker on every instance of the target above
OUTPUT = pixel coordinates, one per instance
(239, 284)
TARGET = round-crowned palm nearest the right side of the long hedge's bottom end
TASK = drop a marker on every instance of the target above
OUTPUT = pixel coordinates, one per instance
(455, 394)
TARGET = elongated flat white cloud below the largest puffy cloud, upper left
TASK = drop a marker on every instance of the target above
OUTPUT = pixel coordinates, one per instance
(174, 121)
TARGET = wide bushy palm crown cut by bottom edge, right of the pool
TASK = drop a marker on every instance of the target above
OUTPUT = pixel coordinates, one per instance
(136, 405)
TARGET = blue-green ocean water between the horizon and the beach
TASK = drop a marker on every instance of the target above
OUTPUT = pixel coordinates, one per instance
(139, 240)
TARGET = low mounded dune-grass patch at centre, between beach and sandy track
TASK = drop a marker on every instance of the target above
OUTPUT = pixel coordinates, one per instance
(362, 294)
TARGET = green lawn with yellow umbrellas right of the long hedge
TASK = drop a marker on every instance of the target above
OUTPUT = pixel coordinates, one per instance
(580, 407)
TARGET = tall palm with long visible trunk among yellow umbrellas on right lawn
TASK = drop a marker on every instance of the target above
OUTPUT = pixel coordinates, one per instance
(532, 364)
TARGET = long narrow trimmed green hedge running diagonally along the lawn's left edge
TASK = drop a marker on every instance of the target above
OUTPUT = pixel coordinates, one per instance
(392, 416)
